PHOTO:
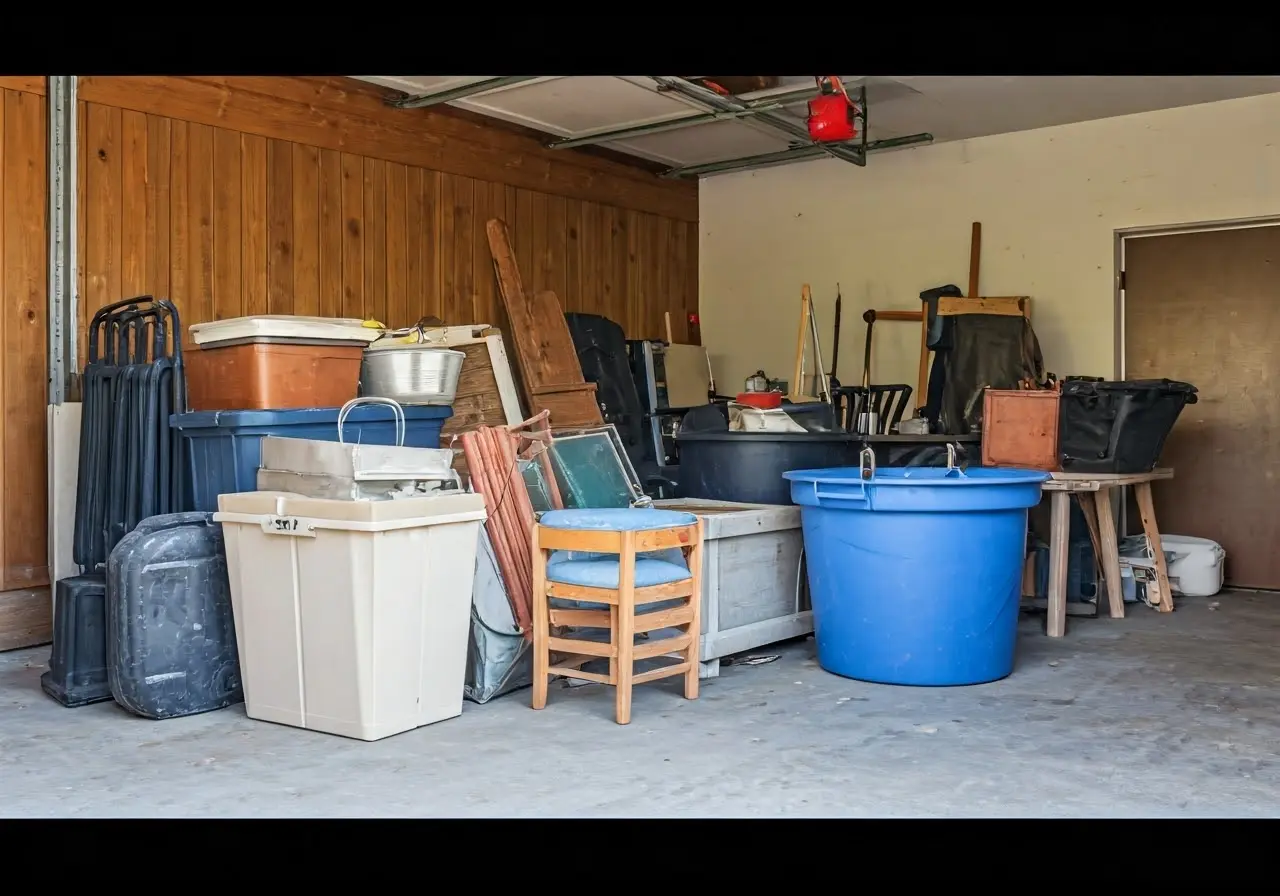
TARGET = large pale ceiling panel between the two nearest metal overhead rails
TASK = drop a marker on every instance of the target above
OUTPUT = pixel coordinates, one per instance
(579, 106)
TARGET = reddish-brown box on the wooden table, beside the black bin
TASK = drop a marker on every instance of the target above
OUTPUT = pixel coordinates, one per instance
(1020, 429)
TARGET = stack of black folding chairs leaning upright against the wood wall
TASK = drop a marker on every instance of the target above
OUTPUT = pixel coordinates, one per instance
(131, 463)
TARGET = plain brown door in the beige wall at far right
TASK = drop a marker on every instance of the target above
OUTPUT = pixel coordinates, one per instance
(1205, 308)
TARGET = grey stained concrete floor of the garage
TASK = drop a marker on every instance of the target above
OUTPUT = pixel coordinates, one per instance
(1151, 716)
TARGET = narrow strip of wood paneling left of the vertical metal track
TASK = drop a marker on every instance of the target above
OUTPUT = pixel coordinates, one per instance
(24, 322)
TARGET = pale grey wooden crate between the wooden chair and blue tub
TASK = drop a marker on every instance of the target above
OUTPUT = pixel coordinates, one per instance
(755, 589)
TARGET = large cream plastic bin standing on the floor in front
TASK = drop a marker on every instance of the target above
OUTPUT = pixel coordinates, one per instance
(351, 616)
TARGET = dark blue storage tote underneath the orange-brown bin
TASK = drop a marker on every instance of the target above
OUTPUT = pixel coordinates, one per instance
(226, 447)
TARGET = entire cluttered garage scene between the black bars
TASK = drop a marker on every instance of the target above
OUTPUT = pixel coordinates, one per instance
(808, 446)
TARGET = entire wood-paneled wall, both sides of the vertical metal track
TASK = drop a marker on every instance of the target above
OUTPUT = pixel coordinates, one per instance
(241, 196)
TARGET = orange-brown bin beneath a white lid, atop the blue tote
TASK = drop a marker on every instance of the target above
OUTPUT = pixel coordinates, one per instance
(264, 376)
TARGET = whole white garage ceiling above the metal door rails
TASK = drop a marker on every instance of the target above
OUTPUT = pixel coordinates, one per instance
(678, 131)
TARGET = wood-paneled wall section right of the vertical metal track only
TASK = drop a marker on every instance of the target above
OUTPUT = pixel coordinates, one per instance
(236, 221)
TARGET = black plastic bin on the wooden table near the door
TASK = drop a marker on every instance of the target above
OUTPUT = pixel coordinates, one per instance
(1118, 428)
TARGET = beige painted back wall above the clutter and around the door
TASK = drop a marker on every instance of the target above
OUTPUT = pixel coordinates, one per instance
(1050, 203)
